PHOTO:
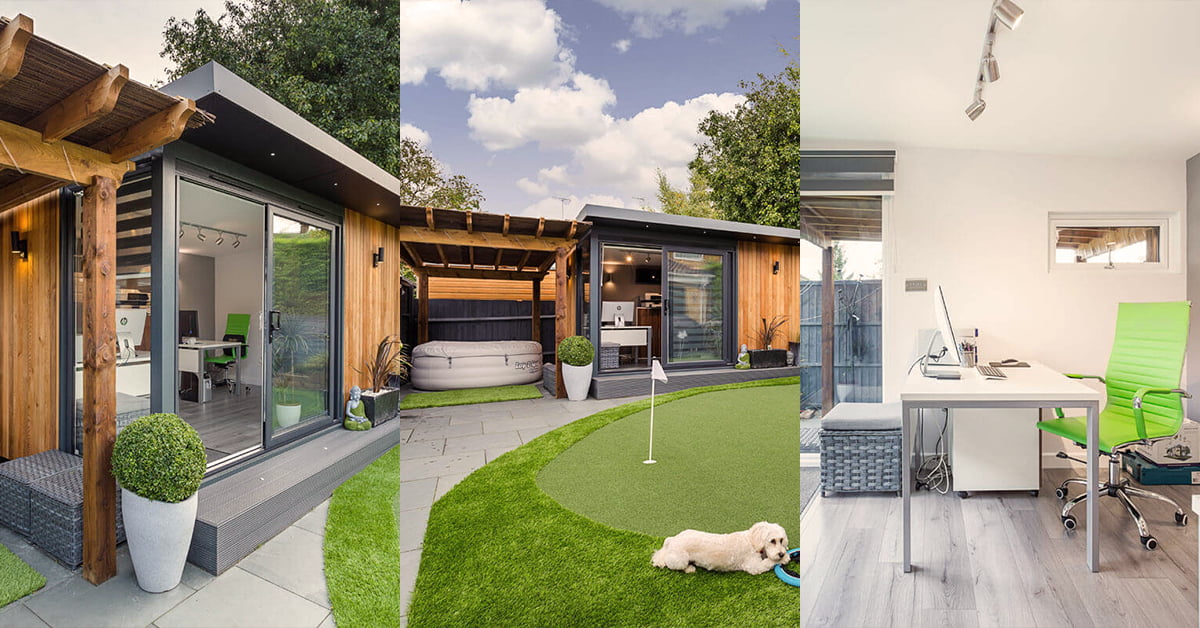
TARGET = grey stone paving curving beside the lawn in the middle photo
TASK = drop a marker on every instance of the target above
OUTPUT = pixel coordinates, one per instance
(442, 446)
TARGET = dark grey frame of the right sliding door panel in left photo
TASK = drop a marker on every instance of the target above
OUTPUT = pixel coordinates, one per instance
(271, 439)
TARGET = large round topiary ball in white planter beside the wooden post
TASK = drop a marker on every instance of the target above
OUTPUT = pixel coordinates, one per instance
(159, 463)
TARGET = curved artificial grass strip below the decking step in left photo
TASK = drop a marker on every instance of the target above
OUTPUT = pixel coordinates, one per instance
(363, 547)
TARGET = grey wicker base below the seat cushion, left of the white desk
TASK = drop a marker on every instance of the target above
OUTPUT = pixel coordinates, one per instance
(860, 462)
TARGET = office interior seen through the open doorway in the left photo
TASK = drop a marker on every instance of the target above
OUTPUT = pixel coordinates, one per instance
(220, 273)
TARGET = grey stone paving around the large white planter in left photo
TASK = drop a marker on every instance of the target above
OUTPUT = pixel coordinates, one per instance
(283, 584)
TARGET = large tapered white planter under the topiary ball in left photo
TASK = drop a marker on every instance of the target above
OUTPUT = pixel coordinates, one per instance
(159, 535)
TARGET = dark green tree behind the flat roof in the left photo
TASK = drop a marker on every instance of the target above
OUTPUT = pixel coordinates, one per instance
(337, 63)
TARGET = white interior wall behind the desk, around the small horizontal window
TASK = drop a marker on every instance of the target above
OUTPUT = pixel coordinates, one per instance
(976, 223)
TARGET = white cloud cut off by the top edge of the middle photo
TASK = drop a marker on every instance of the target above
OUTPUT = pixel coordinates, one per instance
(652, 20)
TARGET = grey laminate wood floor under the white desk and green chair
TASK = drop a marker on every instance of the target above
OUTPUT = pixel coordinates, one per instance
(994, 560)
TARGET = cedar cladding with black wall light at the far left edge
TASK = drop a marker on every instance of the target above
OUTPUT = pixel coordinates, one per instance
(29, 334)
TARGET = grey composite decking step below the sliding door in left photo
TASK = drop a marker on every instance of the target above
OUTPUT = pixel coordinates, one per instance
(249, 506)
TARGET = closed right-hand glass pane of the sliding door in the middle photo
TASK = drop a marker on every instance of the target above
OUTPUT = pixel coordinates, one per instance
(695, 307)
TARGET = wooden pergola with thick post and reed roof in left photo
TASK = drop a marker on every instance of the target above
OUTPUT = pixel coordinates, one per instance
(67, 121)
